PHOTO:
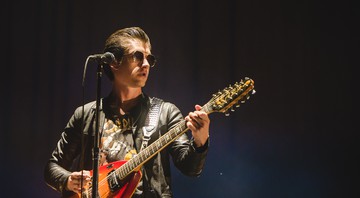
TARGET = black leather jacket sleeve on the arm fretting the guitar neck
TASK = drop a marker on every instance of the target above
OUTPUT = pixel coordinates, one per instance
(186, 157)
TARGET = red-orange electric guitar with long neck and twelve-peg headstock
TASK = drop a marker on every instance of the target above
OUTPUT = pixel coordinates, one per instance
(129, 171)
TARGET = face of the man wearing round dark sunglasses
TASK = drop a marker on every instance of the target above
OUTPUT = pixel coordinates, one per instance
(130, 72)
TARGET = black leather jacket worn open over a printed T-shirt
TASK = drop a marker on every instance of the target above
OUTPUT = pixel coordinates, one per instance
(156, 179)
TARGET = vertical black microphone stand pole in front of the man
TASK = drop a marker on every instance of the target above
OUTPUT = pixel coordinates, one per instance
(96, 136)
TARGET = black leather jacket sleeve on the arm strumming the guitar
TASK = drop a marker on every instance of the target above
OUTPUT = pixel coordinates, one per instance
(57, 169)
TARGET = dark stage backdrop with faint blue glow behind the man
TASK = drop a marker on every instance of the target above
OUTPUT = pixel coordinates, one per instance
(295, 137)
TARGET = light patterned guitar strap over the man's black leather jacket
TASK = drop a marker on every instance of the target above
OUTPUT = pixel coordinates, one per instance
(151, 121)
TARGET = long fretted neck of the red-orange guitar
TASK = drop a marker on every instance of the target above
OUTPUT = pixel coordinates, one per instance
(147, 153)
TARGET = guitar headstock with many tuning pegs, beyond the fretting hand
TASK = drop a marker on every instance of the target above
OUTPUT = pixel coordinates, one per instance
(230, 96)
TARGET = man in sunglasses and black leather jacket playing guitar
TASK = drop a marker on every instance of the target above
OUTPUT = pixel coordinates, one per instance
(124, 115)
